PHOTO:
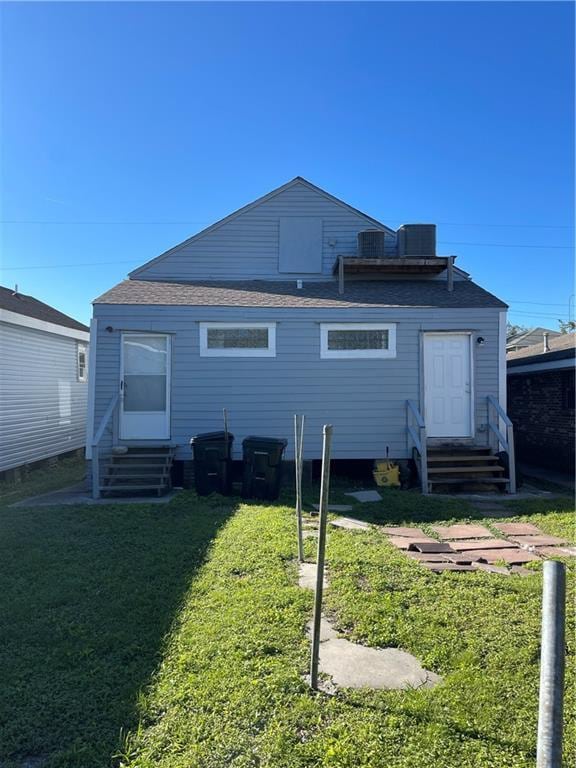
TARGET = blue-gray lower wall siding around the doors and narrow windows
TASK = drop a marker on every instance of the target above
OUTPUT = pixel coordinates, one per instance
(363, 399)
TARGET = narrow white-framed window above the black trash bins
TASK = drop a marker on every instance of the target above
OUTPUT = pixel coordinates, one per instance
(238, 339)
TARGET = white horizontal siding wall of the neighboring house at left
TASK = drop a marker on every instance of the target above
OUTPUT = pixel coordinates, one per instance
(42, 404)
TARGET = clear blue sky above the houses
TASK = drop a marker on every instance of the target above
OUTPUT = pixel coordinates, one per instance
(128, 127)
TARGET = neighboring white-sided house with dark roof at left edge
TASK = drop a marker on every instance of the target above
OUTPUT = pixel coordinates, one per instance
(43, 381)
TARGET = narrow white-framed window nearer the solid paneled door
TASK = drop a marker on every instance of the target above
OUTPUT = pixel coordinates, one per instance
(357, 340)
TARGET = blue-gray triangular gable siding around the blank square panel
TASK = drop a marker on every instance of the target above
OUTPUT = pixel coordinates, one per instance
(248, 246)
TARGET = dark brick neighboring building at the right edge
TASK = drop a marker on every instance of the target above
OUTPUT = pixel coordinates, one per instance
(541, 403)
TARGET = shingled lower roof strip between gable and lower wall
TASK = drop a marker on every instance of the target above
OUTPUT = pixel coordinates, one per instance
(260, 293)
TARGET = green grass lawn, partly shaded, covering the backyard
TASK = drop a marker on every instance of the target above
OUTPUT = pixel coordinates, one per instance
(173, 636)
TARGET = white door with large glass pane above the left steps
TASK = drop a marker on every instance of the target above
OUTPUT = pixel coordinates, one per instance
(145, 387)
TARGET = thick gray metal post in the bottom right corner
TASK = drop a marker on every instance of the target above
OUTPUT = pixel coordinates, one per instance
(552, 661)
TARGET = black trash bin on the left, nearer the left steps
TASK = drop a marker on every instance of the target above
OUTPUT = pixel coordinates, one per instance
(212, 462)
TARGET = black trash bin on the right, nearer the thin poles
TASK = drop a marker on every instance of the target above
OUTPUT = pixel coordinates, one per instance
(262, 468)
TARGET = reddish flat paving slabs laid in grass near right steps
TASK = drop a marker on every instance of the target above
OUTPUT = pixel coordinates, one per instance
(470, 546)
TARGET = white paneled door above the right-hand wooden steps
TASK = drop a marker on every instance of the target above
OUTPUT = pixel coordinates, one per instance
(448, 384)
